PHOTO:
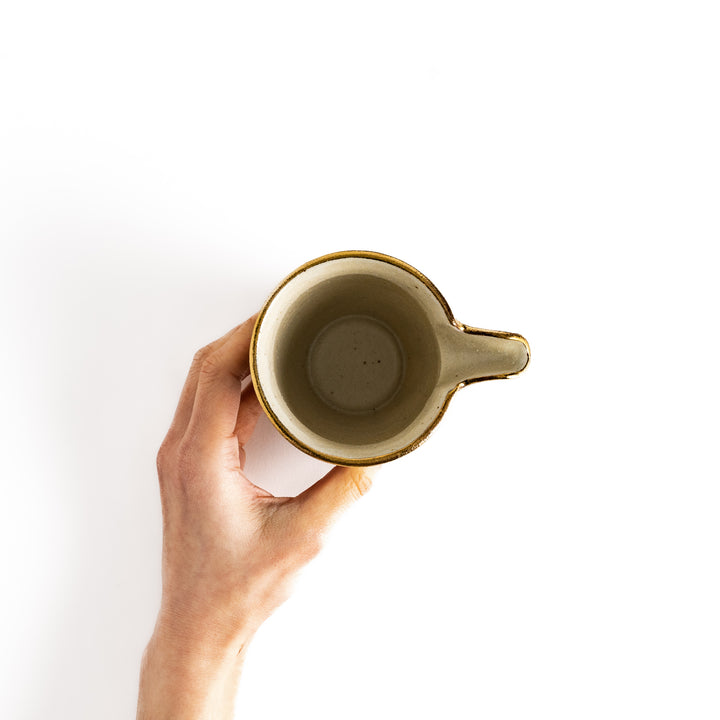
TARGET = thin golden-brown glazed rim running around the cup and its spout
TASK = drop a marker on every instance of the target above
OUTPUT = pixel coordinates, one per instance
(376, 460)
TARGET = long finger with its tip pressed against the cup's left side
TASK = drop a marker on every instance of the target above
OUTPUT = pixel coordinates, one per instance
(219, 386)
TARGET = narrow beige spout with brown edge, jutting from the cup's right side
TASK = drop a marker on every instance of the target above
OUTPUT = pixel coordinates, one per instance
(470, 354)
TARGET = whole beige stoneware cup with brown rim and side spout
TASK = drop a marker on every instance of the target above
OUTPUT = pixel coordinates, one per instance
(356, 355)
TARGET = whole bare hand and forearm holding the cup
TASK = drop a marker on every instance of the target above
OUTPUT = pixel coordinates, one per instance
(230, 549)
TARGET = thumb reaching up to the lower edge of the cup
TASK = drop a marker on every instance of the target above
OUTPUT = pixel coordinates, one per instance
(320, 505)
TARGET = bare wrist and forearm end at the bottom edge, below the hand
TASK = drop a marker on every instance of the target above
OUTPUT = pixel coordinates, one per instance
(188, 680)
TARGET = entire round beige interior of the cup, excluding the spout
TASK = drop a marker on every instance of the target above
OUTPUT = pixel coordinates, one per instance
(348, 359)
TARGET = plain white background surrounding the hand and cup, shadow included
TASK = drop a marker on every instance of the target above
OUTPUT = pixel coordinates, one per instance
(552, 550)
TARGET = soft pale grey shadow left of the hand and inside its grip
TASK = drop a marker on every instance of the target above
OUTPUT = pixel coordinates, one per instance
(120, 329)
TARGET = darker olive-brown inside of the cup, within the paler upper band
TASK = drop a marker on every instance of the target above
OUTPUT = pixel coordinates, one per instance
(356, 358)
